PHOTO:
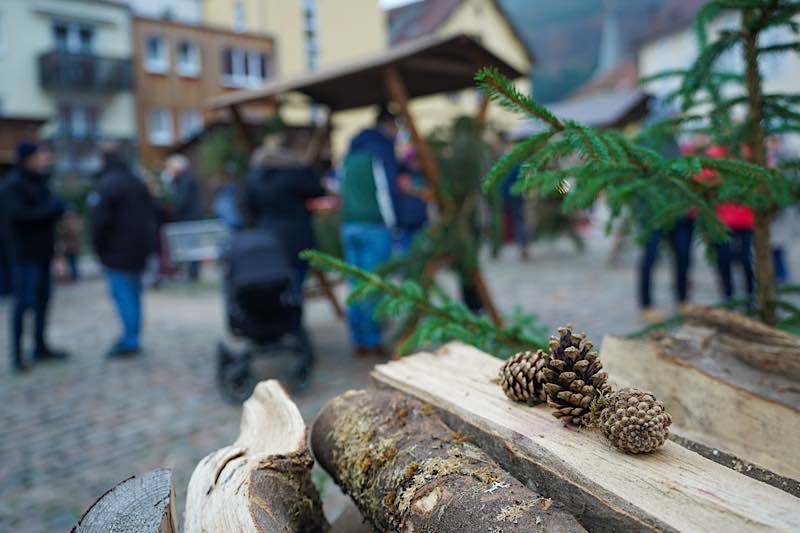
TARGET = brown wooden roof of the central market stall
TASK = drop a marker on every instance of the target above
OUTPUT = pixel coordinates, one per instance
(427, 66)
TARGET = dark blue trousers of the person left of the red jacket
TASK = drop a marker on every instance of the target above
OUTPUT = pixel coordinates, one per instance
(680, 240)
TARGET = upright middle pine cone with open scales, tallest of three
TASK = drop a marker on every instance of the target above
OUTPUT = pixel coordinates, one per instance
(572, 379)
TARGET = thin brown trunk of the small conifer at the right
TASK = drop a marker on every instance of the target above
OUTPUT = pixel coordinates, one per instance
(765, 280)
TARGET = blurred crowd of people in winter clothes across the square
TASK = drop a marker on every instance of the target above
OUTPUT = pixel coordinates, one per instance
(378, 190)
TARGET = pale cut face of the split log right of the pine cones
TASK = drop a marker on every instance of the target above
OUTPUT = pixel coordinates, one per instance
(707, 407)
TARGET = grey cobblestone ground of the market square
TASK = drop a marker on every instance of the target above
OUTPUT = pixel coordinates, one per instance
(72, 430)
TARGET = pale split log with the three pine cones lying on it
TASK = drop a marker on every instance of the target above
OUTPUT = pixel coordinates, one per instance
(607, 490)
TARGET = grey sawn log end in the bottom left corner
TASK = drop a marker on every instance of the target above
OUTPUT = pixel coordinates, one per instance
(140, 504)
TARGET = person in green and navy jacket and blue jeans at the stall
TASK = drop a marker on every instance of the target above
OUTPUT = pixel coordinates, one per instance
(369, 192)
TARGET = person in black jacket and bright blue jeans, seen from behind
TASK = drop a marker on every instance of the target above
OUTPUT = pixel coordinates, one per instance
(123, 223)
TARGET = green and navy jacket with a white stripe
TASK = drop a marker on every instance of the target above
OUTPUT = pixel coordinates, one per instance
(369, 181)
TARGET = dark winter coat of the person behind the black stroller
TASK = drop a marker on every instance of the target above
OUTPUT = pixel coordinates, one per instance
(276, 201)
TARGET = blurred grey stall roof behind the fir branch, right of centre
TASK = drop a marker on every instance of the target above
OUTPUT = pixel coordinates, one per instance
(602, 110)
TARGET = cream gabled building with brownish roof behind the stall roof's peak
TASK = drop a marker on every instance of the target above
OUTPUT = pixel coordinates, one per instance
(483, 19)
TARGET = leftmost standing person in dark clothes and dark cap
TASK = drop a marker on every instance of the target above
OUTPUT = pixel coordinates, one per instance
(32, 212)
